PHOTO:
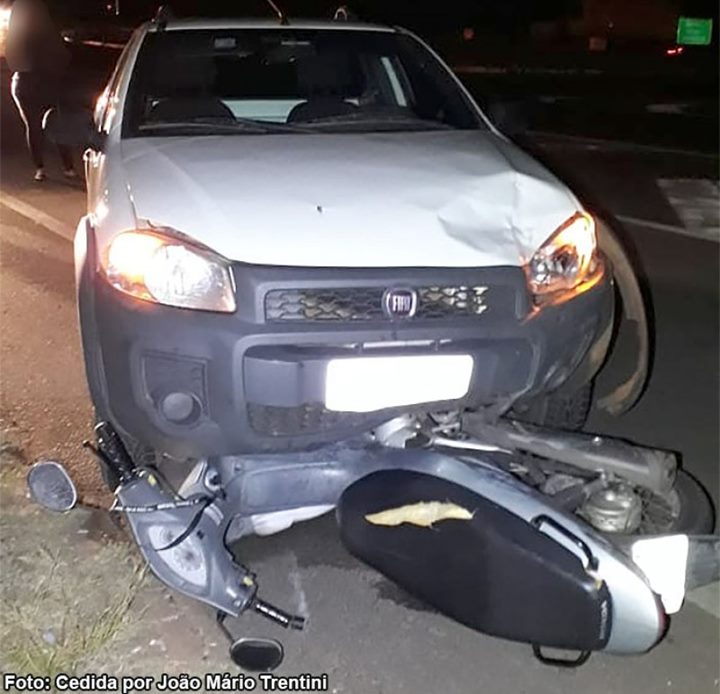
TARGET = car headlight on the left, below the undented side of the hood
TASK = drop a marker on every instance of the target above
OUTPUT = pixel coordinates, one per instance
(169, 271)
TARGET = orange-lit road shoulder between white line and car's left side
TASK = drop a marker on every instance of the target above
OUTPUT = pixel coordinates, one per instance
(45, 408)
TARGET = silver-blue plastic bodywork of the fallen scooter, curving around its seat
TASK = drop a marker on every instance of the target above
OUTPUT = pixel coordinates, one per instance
(269, 483)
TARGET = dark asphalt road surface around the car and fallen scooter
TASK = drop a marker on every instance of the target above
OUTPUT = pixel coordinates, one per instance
(367, 634)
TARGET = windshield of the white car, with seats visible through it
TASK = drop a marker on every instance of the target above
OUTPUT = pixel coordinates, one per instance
(258, 81)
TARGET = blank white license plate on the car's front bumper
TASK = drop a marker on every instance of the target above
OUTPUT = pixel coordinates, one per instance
(365, 384)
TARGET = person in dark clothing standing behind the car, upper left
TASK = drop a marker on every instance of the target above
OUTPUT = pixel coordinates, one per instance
(38, 58)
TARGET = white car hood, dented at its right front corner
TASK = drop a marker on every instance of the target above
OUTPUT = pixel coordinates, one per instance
(428, 199)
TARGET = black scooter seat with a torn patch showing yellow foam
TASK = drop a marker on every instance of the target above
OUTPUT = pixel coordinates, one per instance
(474, 560)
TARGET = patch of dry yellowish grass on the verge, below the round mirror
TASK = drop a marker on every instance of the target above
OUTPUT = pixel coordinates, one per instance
(61, 605)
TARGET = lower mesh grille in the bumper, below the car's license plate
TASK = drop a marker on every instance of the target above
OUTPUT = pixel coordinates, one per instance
(304, 419)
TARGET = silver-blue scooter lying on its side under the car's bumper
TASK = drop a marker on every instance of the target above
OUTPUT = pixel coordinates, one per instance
(559, 540)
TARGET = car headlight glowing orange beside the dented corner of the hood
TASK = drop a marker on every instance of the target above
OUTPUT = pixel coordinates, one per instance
(567, 260)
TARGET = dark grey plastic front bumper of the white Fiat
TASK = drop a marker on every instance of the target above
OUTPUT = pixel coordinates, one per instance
(195, 383)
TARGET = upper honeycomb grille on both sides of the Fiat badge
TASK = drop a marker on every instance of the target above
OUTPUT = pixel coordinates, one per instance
(365, 303)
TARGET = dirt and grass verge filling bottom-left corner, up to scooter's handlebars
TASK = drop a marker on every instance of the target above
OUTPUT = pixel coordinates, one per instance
(78, 599)
